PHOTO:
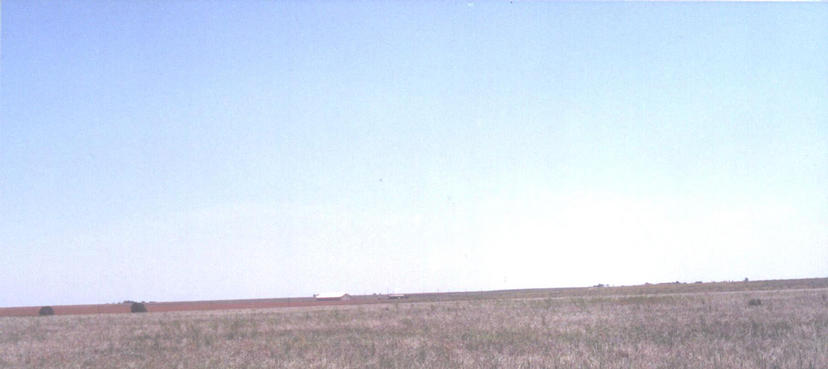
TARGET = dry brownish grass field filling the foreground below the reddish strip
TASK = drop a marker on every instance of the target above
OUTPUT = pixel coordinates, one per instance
(680, 327)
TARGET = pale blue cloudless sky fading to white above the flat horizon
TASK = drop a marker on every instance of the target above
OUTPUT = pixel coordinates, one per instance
(188, 150)
